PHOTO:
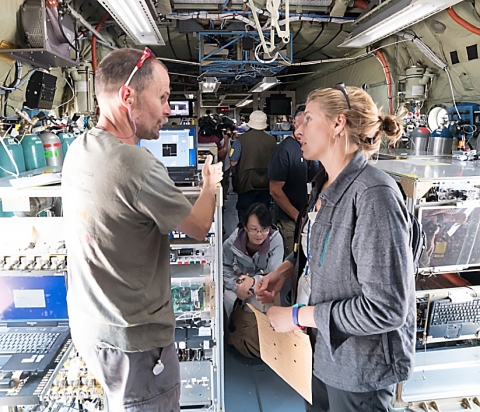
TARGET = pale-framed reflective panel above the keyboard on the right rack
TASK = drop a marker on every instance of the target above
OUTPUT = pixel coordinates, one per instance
(452, 237)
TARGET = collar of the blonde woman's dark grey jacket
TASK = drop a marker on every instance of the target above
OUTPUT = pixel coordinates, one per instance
(347, 176)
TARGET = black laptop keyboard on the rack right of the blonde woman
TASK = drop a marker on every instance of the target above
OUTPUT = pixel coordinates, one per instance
(451, 320)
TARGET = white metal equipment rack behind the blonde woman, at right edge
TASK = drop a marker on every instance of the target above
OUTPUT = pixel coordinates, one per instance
(444, 193)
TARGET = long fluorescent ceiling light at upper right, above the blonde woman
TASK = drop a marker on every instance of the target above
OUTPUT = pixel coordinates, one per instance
(391, 17)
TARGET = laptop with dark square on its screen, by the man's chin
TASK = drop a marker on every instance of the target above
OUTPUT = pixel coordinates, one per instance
(176, 148)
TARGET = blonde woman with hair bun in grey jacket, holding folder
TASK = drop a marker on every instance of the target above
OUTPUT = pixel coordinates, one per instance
(354, 270)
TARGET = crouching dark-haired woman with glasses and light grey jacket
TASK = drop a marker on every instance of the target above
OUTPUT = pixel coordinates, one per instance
(252, 251)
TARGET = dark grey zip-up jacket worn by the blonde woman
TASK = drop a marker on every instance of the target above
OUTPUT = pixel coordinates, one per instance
(362, 281)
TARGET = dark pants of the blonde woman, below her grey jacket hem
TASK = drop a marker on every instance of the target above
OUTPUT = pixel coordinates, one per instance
(328, 399)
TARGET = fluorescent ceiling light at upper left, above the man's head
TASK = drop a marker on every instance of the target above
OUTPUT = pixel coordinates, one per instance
(136, 18)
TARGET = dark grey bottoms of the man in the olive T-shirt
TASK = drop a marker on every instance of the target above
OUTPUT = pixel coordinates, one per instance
(128, 378)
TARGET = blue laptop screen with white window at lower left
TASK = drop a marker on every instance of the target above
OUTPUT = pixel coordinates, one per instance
(33, 298)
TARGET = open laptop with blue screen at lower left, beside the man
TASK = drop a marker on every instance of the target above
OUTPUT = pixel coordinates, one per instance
(33, 320)
